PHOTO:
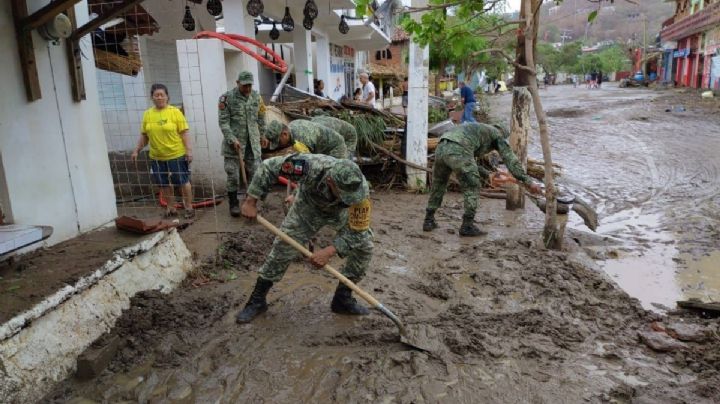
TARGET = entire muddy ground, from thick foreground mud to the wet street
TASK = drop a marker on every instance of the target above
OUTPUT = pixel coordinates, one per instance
(509, 322)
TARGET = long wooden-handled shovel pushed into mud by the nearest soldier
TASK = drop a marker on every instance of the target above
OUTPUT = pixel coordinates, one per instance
(355, 288)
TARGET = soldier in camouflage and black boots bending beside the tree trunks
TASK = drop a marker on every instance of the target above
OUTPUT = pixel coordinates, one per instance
(456, 153)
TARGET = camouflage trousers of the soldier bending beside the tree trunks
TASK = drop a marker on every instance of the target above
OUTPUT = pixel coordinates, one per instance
(450, 158)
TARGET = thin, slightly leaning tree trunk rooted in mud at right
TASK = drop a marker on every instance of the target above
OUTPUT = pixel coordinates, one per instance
(552, 234)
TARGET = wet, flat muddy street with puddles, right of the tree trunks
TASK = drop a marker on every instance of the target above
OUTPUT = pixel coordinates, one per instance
(648, 160)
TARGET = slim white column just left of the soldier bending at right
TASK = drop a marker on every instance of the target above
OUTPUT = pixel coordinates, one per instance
(417, 123)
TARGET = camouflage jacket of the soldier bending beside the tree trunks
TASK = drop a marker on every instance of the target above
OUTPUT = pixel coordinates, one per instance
(478, 139)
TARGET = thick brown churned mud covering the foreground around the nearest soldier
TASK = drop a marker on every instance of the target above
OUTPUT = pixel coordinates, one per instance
(510, 322)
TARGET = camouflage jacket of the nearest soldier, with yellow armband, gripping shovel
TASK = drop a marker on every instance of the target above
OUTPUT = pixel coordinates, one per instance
(310, 172)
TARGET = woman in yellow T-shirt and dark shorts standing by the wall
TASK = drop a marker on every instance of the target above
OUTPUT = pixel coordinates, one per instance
(164, 127)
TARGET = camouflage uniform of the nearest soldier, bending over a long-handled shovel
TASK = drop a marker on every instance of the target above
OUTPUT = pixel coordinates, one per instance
(315, 206)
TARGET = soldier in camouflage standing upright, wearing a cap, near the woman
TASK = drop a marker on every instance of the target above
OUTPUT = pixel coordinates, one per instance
(242, 122)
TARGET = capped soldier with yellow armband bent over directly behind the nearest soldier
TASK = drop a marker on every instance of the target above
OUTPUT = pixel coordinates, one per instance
(307, 137)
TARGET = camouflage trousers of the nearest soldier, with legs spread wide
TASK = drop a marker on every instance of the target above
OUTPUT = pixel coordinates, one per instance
(302, 222)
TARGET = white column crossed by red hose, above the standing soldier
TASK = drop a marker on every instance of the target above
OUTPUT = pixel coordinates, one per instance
(238, 21)
